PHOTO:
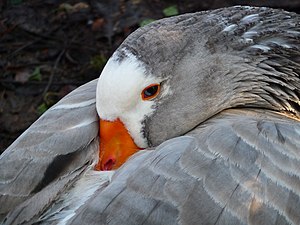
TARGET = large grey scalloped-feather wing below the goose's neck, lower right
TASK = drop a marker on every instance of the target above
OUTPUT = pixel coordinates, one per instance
(240, 167)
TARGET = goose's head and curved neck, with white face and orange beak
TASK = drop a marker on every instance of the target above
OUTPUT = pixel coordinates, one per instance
(172, 75)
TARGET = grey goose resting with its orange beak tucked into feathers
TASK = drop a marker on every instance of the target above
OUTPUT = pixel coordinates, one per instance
(199, 119)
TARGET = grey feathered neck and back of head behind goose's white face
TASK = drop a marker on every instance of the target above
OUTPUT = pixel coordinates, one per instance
(235, 57)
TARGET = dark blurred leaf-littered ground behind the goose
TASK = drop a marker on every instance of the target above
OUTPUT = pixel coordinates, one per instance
(50, 47)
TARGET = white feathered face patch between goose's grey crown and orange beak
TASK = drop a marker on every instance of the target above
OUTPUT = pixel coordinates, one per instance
(119, 94)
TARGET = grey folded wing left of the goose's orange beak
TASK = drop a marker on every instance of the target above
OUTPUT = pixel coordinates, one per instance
(56, 144)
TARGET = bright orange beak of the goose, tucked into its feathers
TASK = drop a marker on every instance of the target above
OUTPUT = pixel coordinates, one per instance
(116, 145)
